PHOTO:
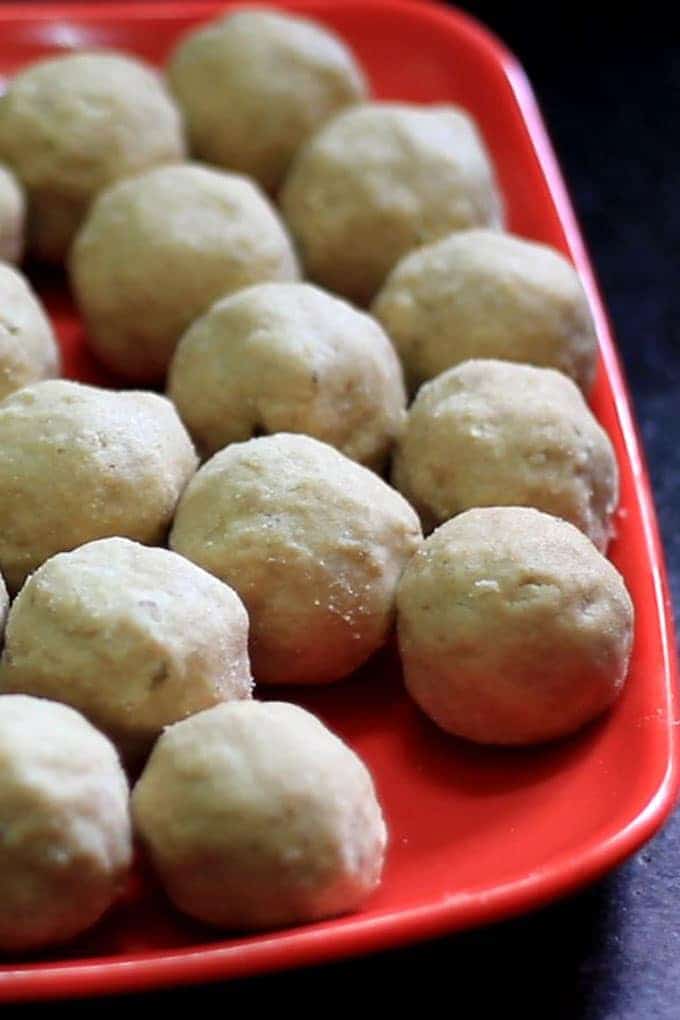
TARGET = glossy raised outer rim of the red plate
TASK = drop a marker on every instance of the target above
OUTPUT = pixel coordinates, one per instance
(362, 935)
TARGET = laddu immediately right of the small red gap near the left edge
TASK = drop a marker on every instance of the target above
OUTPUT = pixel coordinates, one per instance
(158, 250)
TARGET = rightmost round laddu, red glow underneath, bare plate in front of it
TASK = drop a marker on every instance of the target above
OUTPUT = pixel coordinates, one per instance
(512, 628)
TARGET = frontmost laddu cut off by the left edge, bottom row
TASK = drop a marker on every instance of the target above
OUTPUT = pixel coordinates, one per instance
(67, 834)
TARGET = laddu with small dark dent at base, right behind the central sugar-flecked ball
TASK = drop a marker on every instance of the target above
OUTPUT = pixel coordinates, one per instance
(289, 358)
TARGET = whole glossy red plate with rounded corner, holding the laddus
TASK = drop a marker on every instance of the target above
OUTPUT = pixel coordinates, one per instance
(477, 835)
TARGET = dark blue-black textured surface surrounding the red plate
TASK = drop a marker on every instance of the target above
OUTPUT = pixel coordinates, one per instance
(609, 85)
